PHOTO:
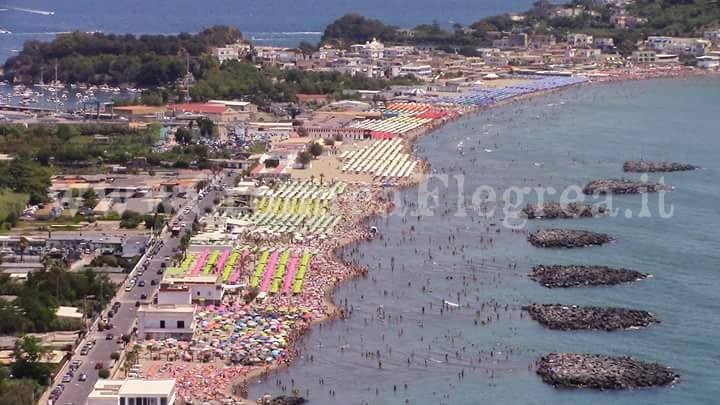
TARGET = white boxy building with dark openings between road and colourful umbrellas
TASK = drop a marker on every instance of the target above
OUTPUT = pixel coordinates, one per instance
(162, 321)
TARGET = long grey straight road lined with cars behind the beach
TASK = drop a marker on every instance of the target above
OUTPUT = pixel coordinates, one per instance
(76, 392)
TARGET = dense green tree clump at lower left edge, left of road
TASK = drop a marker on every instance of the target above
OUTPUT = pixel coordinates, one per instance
(39, 297)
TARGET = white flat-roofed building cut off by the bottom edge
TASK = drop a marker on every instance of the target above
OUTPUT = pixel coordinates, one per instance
(133, 392)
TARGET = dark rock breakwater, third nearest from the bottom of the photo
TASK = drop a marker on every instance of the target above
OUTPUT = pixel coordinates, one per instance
(559, 276)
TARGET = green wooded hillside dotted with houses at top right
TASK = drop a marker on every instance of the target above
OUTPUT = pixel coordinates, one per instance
(670, 17)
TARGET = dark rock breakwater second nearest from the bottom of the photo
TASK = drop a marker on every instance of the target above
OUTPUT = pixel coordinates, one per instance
(563, 317)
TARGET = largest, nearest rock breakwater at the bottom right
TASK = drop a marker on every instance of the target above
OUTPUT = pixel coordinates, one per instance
(573, 370)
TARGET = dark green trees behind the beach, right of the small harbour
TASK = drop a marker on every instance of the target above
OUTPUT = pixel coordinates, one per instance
(262, 86)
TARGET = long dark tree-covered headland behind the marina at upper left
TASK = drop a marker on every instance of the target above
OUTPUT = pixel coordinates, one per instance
(146, 60)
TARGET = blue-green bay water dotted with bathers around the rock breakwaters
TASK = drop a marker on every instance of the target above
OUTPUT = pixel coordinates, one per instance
(574, 136)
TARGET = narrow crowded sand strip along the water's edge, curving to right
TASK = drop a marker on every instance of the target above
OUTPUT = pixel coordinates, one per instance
(358, 227)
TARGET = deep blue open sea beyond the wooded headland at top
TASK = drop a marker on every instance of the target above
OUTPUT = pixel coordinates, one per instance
(265, 22)
